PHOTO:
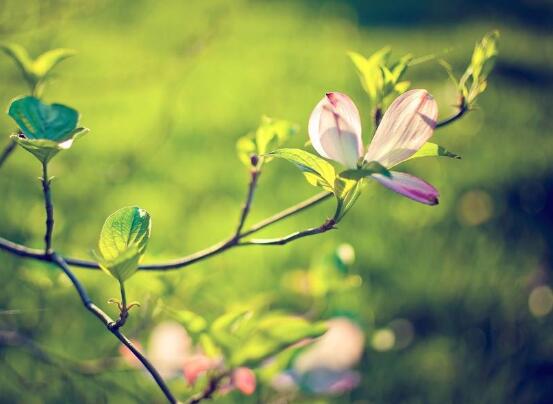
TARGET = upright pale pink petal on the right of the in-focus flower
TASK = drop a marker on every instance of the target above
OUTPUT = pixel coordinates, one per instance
(407, 124)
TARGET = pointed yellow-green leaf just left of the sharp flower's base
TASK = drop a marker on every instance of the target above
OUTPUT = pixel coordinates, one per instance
(317, 171)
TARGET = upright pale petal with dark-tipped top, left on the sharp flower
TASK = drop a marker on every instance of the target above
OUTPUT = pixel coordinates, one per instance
(335, 129)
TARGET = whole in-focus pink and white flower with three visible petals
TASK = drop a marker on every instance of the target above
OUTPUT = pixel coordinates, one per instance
(335, 133)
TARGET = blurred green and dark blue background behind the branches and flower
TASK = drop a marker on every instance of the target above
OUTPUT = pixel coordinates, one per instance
(168, 87)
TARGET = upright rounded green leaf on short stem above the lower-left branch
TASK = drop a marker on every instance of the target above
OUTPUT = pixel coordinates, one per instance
(123, 240)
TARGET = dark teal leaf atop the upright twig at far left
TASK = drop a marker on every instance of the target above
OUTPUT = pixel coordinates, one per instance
(41, 121)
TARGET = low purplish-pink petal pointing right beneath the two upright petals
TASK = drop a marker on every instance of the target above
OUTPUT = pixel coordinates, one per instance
(410, 186)
